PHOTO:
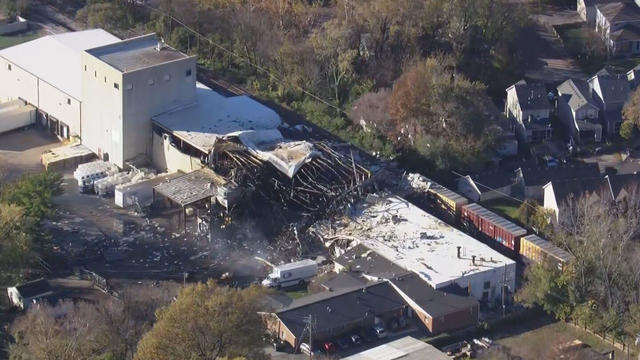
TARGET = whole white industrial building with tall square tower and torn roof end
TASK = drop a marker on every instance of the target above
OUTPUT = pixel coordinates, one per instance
(104, 91)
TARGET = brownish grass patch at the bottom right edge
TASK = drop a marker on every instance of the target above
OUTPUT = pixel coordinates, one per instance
(539, 343)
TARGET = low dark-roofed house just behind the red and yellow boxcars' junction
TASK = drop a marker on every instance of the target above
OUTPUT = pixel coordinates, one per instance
(486, 186)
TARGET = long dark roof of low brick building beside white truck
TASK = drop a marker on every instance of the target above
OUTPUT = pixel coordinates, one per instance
(333, 309)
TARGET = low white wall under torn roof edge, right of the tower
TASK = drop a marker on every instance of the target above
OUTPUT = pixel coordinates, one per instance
(166, 157)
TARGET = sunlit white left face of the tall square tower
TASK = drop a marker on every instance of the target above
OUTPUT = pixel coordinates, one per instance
(102, 109)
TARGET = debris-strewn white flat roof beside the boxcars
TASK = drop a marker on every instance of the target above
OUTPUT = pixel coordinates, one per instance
(420, 242)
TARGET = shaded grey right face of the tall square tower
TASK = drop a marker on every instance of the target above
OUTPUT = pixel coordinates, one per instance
(152, 91)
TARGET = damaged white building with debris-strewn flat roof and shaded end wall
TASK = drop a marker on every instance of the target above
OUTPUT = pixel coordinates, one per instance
(417, 241)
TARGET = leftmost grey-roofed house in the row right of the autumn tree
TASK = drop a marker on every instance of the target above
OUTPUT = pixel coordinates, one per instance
(528, 108)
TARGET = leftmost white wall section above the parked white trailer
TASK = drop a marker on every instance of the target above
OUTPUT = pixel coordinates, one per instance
(17, 83)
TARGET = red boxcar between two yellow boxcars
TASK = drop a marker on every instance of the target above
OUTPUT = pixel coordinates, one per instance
(494, 226)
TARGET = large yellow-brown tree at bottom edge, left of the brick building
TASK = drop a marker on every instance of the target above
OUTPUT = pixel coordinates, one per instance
(207, 321)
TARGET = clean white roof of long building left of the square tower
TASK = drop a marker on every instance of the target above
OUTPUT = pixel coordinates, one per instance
(57, 59)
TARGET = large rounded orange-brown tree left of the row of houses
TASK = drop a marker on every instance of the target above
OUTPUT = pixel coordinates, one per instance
(440, 114)
